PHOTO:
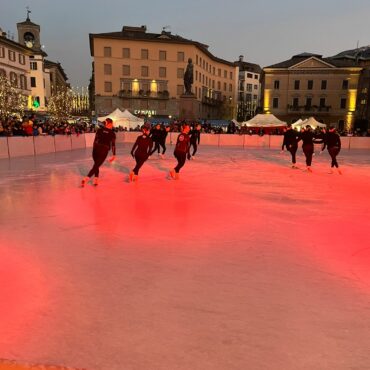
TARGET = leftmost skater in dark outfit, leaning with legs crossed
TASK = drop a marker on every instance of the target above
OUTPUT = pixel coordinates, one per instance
(105, 139)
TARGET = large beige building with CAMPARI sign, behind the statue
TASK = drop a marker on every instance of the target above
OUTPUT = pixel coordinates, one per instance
(144, 72)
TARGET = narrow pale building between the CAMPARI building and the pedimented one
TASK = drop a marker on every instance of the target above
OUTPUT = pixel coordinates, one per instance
(249, 90)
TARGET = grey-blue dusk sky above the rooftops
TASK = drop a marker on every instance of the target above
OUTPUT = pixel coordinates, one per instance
(264, 31)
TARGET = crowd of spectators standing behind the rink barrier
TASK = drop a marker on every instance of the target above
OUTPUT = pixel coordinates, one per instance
(31, 126)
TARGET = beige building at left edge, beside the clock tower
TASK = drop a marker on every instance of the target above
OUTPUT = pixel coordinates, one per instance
(14, 63)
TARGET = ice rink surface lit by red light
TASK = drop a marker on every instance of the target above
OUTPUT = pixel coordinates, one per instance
(242, 264)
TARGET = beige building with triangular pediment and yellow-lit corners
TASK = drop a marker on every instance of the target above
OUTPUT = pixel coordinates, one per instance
(309, 85)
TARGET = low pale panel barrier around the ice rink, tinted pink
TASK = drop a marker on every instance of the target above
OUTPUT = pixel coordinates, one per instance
(17, 146)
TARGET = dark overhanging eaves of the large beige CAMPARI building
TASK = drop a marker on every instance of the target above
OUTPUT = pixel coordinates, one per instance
(169, 41)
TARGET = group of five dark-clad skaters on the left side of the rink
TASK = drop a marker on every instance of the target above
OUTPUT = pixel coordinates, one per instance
(146, 144)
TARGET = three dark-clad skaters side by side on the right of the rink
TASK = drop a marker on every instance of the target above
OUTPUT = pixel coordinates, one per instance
(330, 140)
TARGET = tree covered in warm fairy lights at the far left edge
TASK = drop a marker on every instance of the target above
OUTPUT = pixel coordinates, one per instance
(11, 100)
